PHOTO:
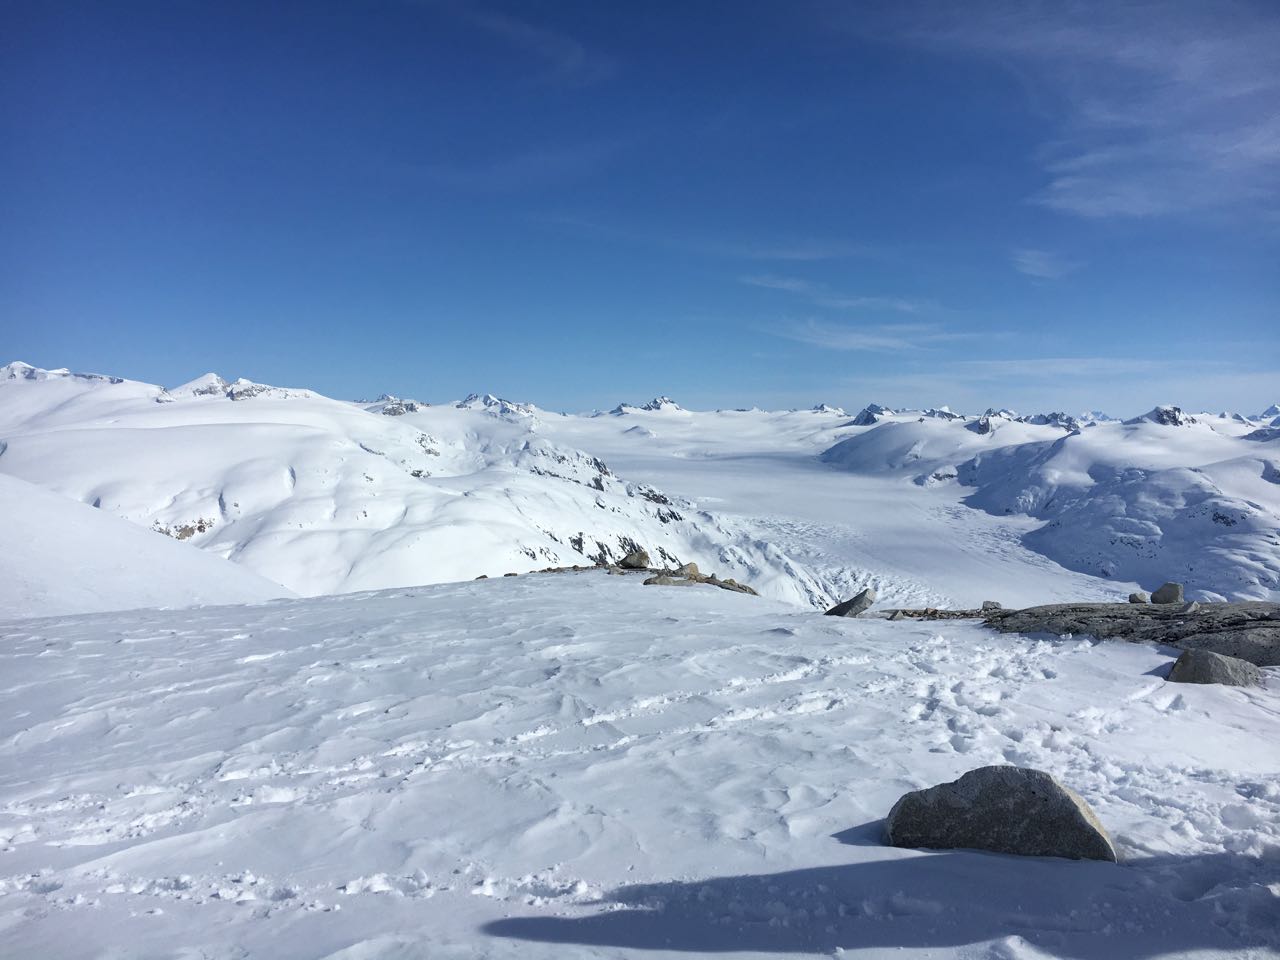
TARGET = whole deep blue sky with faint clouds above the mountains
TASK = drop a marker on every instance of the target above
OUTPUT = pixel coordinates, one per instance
(775, 204)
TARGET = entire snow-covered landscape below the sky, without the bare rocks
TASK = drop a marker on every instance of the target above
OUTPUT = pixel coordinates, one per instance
(355, 751)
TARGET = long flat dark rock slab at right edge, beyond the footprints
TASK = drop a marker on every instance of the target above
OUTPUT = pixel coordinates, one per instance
(1247, 630)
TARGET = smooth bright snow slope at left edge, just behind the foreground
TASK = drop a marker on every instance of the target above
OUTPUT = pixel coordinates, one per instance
(60, 557)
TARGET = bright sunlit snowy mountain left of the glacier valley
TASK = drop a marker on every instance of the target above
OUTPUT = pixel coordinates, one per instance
(327, 497)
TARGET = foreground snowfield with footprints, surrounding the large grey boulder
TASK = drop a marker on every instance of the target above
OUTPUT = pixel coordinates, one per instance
(579, 766)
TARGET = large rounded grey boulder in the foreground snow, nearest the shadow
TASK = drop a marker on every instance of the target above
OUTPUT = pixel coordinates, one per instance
(1003, 810)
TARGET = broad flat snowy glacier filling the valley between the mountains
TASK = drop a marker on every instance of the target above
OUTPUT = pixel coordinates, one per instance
(917, 543)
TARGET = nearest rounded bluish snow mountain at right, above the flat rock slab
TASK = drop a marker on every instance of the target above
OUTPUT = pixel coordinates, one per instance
(1148, 502)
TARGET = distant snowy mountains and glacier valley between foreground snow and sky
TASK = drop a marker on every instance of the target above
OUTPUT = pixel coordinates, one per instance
(323, 496)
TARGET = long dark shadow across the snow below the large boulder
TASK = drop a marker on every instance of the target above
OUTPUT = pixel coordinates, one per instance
(1075, 909)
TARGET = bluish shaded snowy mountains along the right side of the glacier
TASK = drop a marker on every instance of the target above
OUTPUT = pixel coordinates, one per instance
(1163, 496)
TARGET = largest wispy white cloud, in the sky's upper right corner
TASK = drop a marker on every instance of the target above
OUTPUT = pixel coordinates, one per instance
(1163, 108)
